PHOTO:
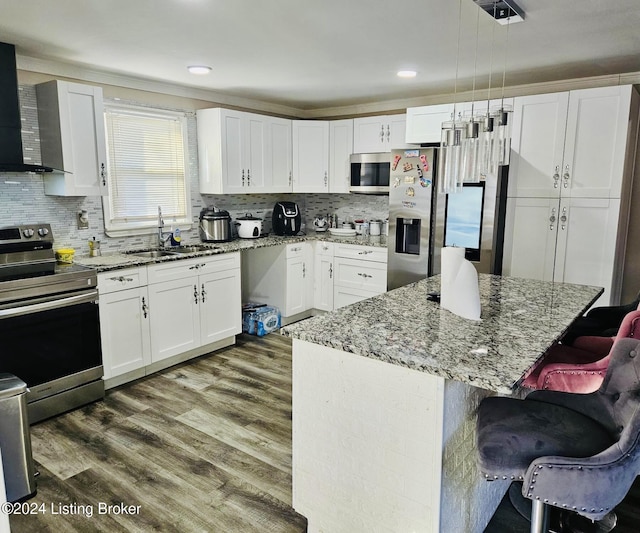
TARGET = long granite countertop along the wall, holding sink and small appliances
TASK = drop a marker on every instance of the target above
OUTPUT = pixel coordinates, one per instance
(114, 261)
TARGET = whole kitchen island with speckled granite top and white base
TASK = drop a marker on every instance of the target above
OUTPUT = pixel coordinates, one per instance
(384, 399)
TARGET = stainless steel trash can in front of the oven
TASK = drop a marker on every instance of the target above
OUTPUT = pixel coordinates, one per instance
(15, 439)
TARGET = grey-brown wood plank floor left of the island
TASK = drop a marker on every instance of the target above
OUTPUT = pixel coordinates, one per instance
(203, 446)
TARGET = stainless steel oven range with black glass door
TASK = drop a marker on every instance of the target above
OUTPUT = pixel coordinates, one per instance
(49, 323)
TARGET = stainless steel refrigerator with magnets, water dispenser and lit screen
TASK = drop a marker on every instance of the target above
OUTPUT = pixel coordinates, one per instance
(421, 221)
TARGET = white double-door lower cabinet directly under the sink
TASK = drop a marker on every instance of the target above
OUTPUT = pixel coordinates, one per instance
(193, 302)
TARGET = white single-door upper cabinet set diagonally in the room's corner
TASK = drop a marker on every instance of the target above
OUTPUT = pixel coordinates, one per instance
(310, 156)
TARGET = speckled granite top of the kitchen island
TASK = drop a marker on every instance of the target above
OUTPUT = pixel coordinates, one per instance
(520, 320)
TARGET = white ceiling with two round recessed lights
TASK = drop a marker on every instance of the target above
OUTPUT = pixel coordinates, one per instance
(327, 53)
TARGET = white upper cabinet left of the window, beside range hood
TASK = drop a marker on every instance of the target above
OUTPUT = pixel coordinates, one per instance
(72, 138)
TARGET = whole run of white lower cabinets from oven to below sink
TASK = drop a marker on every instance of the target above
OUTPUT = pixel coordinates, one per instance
(175, 309)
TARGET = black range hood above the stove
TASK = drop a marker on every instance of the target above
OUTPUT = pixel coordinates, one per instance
(11, 157)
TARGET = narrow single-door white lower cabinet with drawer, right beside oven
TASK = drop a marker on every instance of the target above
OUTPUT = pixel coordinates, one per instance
(124, 321)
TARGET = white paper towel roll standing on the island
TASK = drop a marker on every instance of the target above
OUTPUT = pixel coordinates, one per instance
(459, 290)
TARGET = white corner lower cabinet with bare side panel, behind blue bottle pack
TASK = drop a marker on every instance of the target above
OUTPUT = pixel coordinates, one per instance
(281, 276)
